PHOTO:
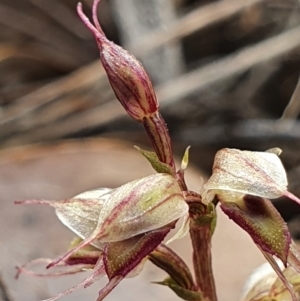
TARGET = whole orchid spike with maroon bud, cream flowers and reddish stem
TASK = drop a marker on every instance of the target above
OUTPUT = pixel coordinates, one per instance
(118, 229)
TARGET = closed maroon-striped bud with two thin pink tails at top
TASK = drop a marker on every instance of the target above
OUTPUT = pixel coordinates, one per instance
(126, 74)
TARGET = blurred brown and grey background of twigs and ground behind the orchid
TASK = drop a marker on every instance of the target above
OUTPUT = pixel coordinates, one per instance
(224, 71)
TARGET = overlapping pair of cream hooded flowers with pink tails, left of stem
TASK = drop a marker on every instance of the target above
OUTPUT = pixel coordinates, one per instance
(118, 227)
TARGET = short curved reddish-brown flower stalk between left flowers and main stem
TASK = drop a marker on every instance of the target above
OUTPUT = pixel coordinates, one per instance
(169, 261)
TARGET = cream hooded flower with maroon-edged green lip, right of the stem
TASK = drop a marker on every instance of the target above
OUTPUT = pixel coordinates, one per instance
(243, 182)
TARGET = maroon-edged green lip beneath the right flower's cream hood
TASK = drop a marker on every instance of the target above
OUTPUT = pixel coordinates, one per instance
(259, 218)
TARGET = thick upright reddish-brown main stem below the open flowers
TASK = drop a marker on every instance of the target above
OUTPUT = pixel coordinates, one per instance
(202, 259)
